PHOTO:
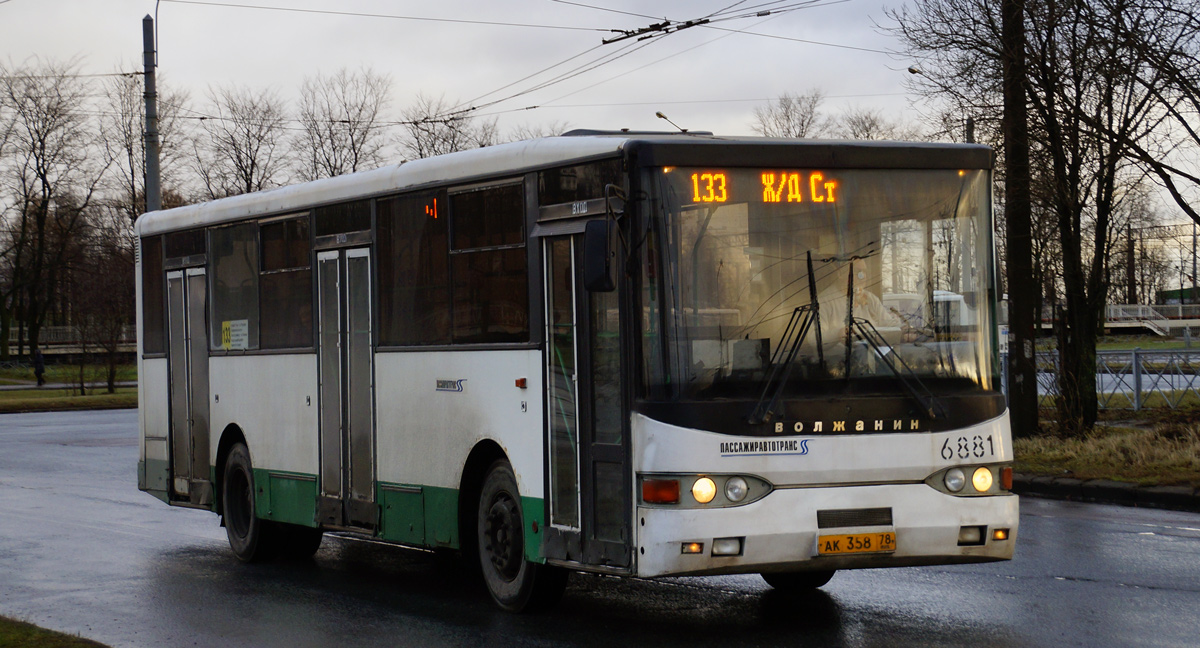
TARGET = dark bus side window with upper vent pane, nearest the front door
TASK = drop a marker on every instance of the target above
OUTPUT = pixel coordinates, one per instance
(489, 268)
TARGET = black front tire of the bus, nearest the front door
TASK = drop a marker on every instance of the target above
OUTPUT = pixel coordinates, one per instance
(515, 584)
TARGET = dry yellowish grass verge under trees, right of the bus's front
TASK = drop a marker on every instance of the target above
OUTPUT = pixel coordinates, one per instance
(1154, 454)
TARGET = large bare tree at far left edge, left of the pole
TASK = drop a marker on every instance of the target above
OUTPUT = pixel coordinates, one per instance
(51, 173)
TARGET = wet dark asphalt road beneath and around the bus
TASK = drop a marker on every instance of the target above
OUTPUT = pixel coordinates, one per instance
(83, 551)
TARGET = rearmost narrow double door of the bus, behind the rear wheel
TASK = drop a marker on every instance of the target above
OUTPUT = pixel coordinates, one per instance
(189, 379)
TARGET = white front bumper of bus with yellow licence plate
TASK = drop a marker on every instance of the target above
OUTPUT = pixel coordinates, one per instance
(779, 533)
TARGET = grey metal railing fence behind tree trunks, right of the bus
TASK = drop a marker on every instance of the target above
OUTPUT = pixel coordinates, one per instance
(1129, 380)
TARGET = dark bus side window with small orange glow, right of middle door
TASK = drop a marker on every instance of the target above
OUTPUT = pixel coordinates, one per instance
(415, 269)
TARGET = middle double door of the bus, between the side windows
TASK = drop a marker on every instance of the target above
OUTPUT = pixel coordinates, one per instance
(347, 387)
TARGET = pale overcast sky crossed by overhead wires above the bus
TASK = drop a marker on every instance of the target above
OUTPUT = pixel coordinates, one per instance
(704, 79)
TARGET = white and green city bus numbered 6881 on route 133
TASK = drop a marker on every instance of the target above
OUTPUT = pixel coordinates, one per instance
(623, 353)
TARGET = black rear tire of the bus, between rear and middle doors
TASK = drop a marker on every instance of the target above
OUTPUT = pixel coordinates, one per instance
(250, 538)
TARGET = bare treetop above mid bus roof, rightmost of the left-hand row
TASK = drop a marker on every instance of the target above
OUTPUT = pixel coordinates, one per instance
(433, 128)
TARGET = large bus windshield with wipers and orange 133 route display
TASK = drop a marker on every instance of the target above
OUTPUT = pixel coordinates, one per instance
(855, 281)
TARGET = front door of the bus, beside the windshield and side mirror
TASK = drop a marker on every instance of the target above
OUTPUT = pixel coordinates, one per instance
(590, 497)
